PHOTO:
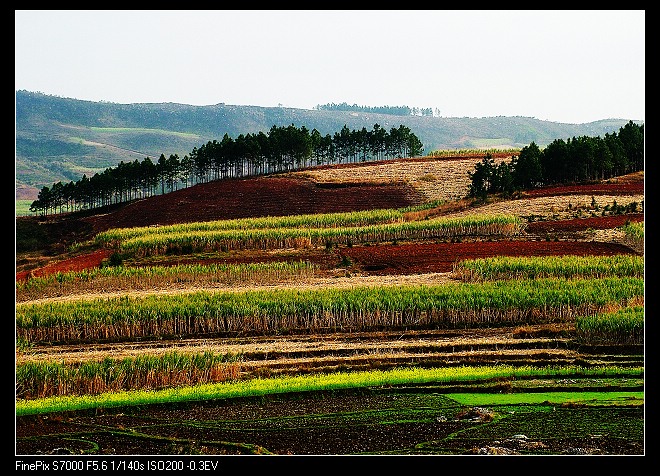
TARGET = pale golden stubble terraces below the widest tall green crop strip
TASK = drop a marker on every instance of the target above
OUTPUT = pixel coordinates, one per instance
(286, 351)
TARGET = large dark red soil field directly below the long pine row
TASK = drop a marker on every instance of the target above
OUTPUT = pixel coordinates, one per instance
(254, 197)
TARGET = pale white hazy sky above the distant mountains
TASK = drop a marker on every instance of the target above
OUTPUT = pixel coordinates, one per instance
(564, 66)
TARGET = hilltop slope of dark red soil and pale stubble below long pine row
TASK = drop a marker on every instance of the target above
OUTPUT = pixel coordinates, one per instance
(338, 188)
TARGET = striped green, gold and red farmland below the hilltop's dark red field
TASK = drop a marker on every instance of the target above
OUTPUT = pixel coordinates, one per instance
(334, 333)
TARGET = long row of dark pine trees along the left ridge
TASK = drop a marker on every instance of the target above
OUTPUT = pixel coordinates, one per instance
(282, 149)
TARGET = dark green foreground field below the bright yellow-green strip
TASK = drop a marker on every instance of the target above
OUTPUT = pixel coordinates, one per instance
(560, 417)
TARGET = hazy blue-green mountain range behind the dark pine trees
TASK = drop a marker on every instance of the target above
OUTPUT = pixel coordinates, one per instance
(61, 139)
